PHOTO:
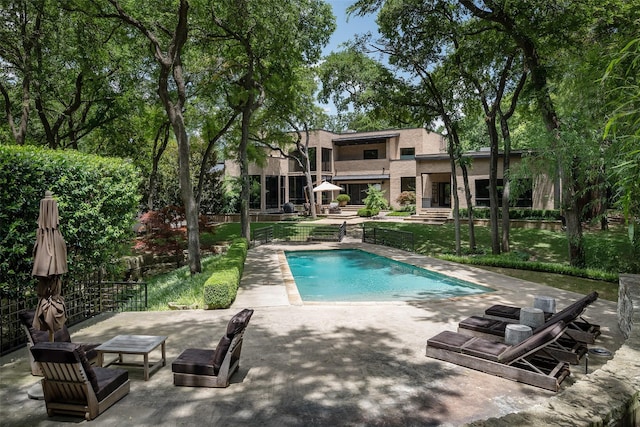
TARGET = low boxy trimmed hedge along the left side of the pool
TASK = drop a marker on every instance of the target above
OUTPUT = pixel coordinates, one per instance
(221, 287)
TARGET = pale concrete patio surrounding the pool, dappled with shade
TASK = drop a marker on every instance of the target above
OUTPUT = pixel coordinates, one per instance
(358, 364)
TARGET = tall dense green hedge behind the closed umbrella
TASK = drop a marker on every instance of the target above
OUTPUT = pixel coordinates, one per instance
(97, 202)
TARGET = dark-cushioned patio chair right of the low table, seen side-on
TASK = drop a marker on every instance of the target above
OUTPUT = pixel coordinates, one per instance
(197, 367)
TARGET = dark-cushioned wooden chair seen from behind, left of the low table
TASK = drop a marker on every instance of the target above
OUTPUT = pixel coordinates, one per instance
(72, 386)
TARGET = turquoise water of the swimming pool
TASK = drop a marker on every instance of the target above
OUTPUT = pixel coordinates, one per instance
(355, 275)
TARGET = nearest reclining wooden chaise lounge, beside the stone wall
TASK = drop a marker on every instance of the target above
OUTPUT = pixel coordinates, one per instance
(527, 362)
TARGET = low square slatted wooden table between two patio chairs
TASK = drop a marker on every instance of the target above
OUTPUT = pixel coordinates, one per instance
(136, 345)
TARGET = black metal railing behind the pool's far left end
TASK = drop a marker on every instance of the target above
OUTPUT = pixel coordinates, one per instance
(285, 232)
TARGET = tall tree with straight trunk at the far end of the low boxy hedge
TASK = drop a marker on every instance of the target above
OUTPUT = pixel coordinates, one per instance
(264, 43)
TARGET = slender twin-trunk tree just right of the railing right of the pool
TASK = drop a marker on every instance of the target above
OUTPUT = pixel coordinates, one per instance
(417, 36)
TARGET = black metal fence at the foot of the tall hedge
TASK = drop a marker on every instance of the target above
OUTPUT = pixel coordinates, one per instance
(82, 300)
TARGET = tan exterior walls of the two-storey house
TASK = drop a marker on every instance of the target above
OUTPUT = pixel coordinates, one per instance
(432, 173)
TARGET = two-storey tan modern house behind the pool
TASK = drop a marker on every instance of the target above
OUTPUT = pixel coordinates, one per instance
(392, 160)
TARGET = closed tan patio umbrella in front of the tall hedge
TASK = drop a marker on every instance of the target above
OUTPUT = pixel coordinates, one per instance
(49, 263)
